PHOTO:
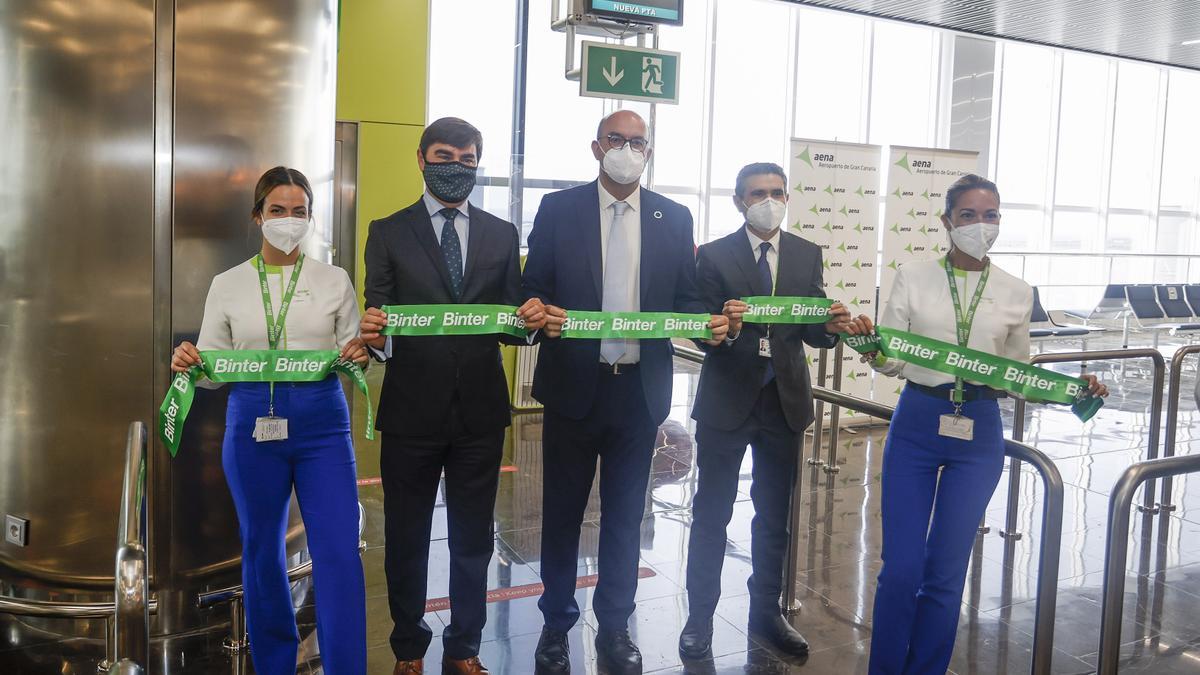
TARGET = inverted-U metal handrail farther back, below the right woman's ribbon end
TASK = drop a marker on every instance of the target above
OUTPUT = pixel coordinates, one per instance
(1156, 415)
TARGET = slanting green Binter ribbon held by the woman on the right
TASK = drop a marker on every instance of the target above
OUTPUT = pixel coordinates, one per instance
(999, 373)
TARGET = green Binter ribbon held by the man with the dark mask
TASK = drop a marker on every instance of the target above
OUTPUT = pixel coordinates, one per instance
(453, 320)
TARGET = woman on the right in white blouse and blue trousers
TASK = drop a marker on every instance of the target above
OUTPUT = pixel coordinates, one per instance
(937, 481)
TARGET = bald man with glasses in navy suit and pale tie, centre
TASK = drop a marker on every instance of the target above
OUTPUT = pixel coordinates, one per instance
(608, 246)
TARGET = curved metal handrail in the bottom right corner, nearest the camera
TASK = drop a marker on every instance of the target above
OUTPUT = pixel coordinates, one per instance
(1119, 546)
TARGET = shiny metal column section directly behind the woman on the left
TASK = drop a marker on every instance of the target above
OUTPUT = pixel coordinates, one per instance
(255, 87)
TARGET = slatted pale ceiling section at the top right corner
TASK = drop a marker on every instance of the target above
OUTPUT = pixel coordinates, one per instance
(1149, 31)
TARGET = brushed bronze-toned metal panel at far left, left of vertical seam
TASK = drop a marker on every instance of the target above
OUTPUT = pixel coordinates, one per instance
(76, 169)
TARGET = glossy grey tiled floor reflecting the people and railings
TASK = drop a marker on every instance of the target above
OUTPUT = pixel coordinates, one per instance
(839, 559)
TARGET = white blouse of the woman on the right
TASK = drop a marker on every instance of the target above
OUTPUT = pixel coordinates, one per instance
(921, 303)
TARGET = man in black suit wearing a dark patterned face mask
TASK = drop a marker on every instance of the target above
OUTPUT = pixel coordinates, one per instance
(446, 402)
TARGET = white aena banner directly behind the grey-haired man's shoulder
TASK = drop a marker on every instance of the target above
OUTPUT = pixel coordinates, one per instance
(835, 204)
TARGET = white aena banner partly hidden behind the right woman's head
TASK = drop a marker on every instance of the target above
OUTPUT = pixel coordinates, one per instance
(913, 219)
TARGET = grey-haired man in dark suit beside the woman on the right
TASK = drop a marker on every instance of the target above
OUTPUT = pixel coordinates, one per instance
(754, 390)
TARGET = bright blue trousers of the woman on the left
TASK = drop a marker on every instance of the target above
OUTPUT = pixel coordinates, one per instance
(317, 461)
